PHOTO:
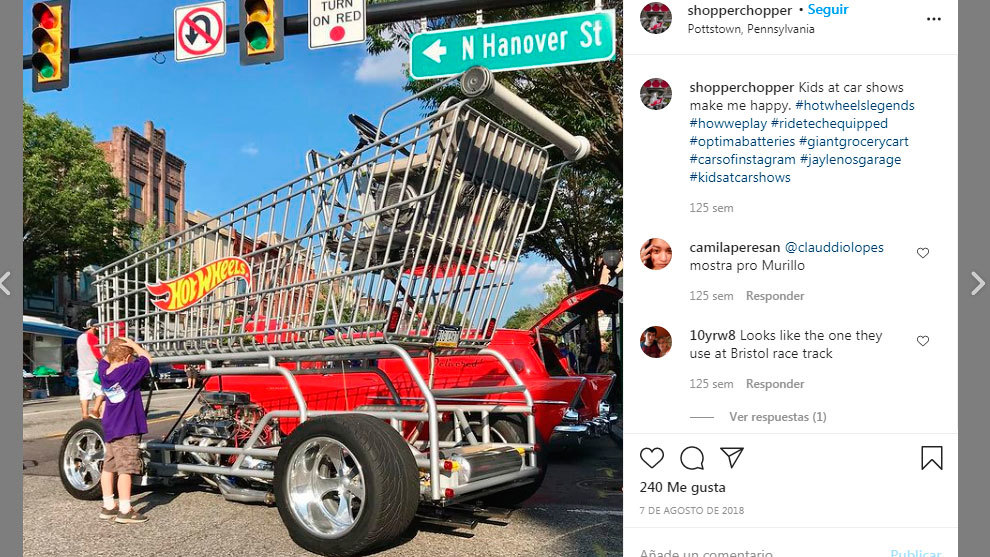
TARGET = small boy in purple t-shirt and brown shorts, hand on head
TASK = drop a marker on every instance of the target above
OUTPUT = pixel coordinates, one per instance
(124, 422)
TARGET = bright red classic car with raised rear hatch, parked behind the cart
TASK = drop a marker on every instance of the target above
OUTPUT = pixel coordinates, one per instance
(566, 402)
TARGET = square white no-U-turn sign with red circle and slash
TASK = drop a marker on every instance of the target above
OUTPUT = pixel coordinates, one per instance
(200, 31)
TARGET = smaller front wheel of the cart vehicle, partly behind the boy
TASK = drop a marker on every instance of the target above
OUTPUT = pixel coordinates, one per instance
(81, 460)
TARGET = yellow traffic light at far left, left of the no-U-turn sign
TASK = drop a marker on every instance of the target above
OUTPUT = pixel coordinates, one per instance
(50, 54)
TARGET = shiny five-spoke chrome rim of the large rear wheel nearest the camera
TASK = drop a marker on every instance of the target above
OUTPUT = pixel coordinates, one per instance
(326, 487)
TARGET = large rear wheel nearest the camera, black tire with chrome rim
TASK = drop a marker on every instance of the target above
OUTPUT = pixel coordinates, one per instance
(345, 484)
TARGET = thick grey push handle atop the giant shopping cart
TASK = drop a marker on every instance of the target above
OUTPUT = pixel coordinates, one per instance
(478, 82)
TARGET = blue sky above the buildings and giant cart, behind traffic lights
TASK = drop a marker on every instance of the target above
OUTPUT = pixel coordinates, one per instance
(211, 108)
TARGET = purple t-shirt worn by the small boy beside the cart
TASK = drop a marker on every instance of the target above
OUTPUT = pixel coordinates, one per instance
(124, 413)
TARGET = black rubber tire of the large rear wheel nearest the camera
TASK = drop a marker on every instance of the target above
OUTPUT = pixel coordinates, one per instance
(391, 483)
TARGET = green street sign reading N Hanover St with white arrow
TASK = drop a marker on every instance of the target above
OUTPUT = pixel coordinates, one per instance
(575, 38)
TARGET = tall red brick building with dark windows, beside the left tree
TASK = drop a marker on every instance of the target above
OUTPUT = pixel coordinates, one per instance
(154, 179)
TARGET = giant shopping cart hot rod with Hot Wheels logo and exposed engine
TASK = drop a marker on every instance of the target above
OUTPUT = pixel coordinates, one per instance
(401, 249)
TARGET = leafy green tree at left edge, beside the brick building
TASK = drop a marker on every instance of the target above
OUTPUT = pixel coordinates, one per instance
(73, 205)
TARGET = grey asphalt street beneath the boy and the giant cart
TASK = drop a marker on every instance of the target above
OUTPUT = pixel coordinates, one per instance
(577, 512)
